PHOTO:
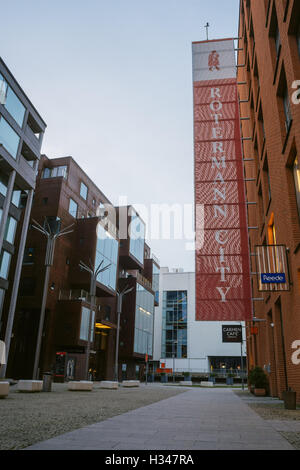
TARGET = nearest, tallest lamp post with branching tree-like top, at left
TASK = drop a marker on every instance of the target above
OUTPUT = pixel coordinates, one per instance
(52, 236)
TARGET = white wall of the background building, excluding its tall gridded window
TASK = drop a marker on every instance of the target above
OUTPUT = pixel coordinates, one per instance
(204, 338)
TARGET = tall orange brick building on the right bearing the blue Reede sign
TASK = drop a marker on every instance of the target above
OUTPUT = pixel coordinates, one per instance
(269, 67)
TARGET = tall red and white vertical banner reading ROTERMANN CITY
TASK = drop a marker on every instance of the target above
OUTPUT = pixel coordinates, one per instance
(223, 286)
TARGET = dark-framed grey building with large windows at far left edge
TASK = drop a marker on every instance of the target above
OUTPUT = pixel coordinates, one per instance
(21, 135)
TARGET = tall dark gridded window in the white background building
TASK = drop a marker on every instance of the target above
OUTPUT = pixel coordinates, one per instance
(174, 326)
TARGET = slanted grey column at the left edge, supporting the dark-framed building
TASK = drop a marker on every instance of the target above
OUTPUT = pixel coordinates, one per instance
(15, 289)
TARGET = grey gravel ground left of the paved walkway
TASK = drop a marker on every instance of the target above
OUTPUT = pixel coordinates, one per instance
(27, 418)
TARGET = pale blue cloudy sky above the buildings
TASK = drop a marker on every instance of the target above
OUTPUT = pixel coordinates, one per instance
(113, 81)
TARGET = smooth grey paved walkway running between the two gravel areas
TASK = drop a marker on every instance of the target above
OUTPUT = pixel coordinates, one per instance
(199, 419)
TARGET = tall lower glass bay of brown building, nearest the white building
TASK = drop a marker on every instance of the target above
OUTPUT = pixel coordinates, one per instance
(144, 316)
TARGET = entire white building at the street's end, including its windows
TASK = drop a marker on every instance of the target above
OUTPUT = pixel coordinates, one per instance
(184, 344)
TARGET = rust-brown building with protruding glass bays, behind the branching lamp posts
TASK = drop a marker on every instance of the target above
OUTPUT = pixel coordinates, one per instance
(67, 199)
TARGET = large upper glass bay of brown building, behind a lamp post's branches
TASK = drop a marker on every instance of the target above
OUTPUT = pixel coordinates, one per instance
(107, 251)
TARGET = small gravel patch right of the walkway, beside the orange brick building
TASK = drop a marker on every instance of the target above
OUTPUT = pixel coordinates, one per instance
(286, 422)
